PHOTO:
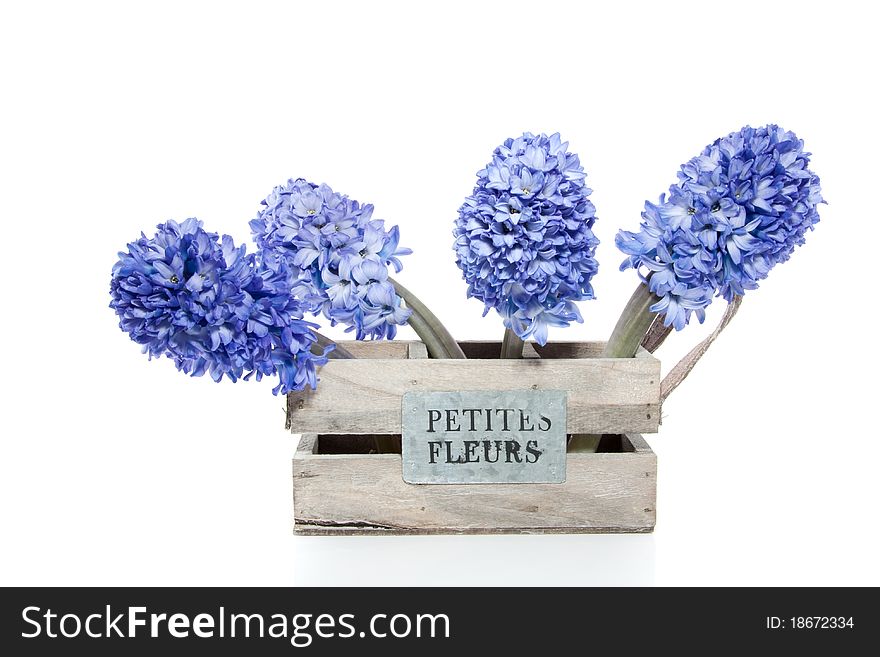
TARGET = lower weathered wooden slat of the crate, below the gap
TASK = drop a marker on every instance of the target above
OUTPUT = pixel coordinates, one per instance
(365, 494)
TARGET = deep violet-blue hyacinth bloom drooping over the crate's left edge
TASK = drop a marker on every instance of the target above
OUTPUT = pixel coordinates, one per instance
(206, 304)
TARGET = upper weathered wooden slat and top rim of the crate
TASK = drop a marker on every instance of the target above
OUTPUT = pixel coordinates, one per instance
(605, 395)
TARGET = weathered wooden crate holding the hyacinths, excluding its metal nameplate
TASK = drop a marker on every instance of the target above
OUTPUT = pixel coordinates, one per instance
(340, 487)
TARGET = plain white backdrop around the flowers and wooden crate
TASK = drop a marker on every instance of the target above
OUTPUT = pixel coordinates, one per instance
(115, 117)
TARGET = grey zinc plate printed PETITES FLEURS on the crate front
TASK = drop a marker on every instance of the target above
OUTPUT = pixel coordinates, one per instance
(484, 437)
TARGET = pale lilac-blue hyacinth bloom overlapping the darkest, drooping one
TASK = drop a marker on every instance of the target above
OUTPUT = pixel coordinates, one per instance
(340, 254)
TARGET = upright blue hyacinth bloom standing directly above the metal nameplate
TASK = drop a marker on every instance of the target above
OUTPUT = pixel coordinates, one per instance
(524, 239)
